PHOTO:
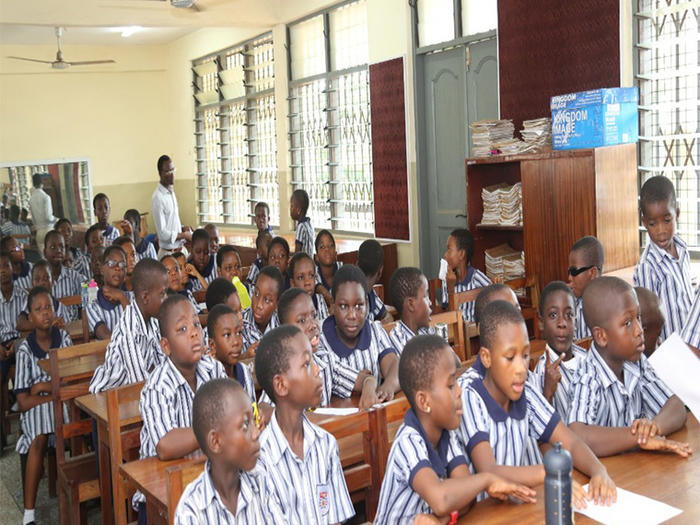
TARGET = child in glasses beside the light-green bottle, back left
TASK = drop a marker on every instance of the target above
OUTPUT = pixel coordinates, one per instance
(104, 313)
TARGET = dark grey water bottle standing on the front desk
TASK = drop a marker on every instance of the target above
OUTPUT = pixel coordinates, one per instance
(558, 486)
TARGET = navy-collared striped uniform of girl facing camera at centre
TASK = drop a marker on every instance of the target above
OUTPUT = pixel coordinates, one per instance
(372, 346)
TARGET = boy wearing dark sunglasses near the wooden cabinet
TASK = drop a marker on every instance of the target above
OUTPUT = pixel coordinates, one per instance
(586, 260)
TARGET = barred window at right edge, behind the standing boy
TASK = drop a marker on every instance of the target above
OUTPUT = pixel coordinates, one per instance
(667, 57)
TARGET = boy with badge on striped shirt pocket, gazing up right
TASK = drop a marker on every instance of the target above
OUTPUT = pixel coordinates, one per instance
(301, 460)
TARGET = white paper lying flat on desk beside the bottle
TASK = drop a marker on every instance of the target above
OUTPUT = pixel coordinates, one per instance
(630, 508)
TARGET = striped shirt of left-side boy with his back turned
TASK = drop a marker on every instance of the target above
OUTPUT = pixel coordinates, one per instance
(133, 351)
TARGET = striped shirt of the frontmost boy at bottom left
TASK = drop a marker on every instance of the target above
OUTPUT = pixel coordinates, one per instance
(201, 503)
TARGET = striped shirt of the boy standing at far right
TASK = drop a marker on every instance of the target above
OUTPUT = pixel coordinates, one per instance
(669, 278)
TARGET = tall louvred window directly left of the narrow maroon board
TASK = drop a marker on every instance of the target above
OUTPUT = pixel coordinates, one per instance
(329, 114)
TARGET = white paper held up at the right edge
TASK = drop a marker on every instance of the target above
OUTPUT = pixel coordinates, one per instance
(679, 368)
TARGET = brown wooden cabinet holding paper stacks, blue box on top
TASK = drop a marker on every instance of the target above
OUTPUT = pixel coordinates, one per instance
(566, 195)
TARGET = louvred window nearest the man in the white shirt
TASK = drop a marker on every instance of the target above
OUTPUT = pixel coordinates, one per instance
(236, 148)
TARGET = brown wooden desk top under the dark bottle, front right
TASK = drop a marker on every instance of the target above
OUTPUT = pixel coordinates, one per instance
(664, 477)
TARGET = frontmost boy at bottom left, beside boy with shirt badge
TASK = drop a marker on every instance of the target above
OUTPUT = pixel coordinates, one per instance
(232, 488)
